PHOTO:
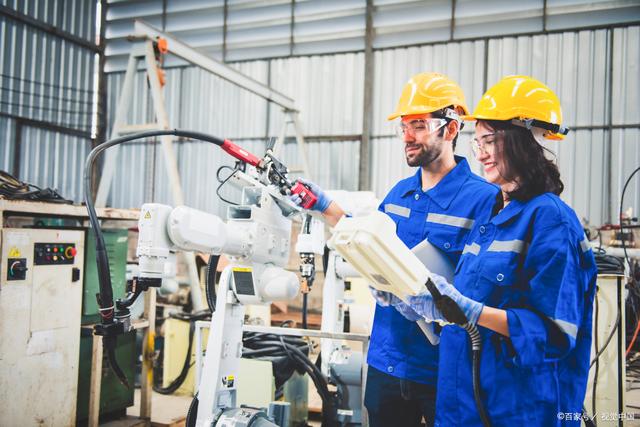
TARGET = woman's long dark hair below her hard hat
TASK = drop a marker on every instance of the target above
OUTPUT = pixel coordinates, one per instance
(524, 162)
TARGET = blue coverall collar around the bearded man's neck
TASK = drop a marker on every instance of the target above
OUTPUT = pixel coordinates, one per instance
(447, 189)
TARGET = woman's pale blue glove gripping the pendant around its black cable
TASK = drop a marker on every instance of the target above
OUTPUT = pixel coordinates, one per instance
(424, 305)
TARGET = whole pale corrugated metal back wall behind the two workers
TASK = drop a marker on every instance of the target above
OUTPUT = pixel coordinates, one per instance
(588, 68)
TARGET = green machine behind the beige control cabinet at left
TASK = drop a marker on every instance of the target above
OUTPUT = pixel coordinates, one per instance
(114, 397)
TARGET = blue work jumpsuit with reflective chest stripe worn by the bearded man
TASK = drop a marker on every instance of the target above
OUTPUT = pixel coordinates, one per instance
(444, 215)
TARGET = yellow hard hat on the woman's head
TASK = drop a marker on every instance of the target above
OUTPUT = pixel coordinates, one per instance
(526, 102)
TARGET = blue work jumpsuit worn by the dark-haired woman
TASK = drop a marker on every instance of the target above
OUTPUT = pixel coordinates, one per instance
(531, 259)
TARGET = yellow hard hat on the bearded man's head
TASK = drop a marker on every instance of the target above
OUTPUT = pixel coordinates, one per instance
(429, 92)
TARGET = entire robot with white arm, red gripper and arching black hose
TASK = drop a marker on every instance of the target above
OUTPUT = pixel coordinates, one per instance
(255, 238)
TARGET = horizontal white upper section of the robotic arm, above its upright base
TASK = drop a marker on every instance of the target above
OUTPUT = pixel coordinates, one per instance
(163, 230)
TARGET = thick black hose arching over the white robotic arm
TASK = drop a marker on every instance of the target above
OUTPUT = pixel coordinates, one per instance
(105, 297)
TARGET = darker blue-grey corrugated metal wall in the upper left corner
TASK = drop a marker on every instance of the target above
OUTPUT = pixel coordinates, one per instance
(46, 83)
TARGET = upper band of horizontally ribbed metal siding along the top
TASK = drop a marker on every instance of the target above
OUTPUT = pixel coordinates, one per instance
(234, 30)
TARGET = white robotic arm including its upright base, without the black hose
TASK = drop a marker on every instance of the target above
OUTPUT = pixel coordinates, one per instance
(256, 239)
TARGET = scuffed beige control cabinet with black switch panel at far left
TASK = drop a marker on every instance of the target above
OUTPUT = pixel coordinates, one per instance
(41, 270)
